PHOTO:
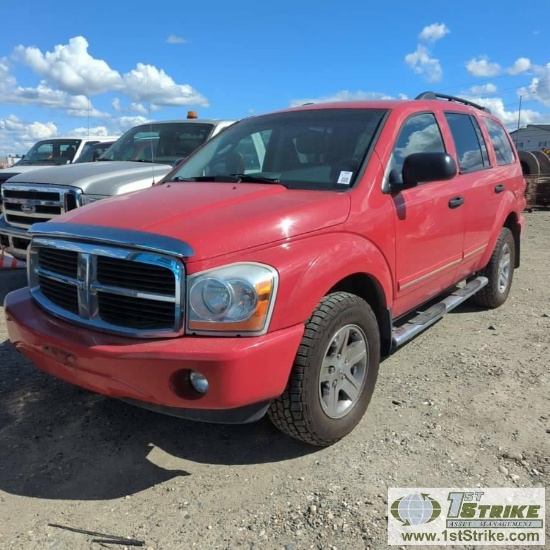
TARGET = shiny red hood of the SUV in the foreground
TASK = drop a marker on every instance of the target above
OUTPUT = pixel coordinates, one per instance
(218, 218)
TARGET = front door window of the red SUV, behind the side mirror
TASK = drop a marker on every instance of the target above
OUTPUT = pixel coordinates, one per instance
(419, 134)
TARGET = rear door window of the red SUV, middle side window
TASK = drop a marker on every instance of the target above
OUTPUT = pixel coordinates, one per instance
(470, 145)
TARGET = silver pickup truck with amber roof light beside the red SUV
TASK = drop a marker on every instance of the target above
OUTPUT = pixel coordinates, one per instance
(138, 159)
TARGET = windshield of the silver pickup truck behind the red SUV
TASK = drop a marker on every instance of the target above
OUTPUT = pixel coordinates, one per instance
(166, 142)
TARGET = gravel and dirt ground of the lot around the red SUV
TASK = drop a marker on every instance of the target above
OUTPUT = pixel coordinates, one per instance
(447, 409)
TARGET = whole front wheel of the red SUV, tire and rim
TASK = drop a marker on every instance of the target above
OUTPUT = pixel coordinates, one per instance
(334, 372)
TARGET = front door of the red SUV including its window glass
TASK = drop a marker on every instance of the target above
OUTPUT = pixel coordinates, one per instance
(429, 221)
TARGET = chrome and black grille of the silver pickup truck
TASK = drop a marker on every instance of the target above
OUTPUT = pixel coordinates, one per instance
(27, 204)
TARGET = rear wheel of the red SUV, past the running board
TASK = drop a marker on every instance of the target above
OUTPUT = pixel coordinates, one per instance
(499, 271)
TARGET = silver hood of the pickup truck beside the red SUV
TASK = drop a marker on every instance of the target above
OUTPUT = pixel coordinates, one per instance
(99, 178)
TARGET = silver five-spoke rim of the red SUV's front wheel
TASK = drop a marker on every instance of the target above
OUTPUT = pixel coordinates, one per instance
(343, 371)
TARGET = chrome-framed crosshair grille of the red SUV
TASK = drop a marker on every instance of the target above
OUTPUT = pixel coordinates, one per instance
(119, 290)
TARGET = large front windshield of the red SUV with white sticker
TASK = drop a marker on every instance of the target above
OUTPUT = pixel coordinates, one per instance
(320, 149)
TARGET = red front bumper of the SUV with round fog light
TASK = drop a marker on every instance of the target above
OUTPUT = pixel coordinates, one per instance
(244, 374)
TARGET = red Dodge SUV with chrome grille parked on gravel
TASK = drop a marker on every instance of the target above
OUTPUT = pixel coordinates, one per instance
(273, 269)
